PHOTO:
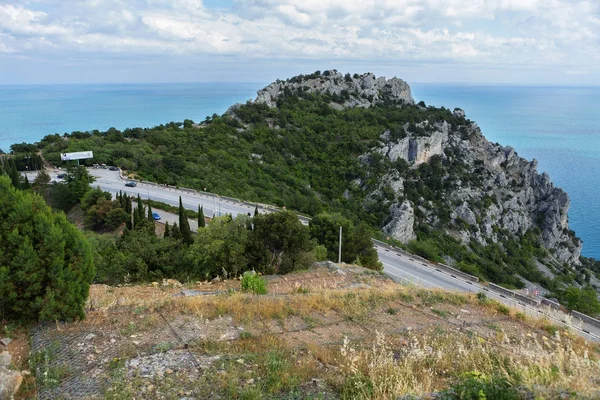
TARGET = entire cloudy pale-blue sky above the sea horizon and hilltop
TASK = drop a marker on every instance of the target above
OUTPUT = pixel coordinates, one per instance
(540, 42)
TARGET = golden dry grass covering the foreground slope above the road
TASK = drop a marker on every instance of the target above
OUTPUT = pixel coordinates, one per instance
(377, 343)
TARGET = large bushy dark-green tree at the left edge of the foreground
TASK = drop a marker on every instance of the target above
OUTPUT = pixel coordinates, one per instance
(46, 264)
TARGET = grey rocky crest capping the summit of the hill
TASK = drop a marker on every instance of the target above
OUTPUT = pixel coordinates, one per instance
(346, 90)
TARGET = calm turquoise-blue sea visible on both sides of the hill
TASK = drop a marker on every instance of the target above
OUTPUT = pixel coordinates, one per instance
(558, 126)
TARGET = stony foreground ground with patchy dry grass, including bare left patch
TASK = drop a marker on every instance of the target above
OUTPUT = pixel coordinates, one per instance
(207, 340)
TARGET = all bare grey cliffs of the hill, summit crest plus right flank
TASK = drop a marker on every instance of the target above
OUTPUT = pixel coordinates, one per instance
(477, 191)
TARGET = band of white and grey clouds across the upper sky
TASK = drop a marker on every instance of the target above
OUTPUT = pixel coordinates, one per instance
(534, 32)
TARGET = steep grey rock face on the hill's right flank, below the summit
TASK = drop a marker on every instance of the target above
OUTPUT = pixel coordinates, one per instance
(499, 193)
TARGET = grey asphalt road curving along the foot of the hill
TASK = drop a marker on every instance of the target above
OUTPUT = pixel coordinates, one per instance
(396, 265)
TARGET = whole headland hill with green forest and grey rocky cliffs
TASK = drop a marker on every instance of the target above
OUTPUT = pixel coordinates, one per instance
(359, 145)
